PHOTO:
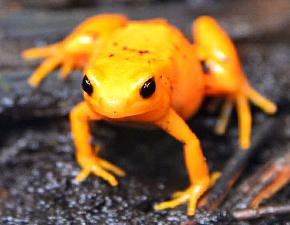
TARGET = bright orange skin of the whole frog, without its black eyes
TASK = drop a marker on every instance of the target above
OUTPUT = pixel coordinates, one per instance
(118, 56)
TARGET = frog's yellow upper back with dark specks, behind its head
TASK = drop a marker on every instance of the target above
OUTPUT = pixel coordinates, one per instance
(150, 38)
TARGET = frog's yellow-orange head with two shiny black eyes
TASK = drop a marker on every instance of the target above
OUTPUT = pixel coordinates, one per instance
(120, 89)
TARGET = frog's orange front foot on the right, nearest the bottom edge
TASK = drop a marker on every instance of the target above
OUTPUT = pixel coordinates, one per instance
(190, 195)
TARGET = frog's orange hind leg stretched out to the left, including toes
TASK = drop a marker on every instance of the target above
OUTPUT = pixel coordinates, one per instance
(74, 51)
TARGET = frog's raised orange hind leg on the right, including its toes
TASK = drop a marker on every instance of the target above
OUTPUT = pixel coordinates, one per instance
(224, 76)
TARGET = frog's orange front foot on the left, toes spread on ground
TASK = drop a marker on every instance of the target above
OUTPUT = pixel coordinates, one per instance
(100, 167)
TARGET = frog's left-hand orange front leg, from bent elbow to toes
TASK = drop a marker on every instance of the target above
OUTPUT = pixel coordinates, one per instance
(86, 157)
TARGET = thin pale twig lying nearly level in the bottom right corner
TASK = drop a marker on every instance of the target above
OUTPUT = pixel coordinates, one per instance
(246, 214)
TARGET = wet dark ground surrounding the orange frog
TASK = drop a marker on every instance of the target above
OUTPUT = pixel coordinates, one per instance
(37, 155)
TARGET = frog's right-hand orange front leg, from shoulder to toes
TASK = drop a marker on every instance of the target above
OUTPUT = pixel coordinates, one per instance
(195, 162)
